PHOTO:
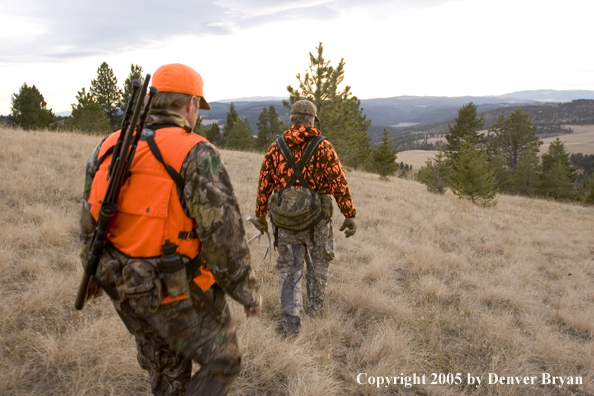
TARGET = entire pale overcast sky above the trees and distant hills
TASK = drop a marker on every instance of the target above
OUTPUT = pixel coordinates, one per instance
(256, 47)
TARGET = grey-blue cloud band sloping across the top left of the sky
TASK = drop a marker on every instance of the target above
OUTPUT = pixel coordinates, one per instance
(61, 30)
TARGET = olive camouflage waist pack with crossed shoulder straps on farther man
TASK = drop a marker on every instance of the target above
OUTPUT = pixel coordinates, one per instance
(296, 209)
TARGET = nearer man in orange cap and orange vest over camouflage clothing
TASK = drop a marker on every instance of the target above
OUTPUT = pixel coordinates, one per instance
(176, 246)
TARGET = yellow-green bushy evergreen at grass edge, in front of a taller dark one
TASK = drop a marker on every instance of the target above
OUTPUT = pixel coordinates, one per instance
(471, 177)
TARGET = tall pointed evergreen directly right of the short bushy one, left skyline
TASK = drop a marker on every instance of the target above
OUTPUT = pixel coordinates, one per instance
(107, 93)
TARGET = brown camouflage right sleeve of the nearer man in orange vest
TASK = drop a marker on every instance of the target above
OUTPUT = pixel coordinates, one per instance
(209, 199)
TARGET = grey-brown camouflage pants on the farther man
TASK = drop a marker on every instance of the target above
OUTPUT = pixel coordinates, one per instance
(294, 249)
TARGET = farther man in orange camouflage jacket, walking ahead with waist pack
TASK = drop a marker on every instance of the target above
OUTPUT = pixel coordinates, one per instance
(299, 175)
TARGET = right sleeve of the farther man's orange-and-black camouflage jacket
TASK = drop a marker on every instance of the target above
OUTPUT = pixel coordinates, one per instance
(336, 179)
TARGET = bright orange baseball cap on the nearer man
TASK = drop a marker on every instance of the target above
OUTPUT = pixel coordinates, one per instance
(179, 78)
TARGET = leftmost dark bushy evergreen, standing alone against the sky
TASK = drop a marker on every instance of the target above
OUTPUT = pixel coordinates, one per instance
(29, 109)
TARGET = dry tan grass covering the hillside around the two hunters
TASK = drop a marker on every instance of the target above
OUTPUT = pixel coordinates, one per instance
(430, 284)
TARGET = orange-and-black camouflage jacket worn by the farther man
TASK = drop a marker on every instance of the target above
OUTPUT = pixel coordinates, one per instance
(323, 172)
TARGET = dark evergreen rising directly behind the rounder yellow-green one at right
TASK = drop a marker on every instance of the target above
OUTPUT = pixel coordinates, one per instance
(466, 128)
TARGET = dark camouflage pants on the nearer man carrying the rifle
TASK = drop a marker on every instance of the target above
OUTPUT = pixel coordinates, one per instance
(177, 334)
